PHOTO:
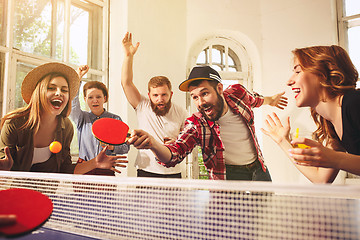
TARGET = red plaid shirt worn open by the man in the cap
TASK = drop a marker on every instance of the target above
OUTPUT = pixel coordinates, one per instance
(204, 133)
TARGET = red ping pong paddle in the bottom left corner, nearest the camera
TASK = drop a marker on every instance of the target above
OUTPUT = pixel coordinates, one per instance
(32, 209)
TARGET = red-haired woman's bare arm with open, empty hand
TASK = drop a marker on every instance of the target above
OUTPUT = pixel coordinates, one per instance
(280, 134)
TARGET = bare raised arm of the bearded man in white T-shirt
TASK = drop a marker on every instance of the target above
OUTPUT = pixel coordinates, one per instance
(131, 92)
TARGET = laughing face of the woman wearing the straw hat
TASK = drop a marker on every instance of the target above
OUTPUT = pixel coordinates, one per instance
(57, 95)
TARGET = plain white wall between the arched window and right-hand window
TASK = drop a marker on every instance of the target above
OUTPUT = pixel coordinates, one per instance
(287, 25)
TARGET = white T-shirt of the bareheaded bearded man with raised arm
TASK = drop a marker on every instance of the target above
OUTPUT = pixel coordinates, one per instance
(159, 127)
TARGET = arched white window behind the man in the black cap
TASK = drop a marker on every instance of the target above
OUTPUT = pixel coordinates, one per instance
(232, 61)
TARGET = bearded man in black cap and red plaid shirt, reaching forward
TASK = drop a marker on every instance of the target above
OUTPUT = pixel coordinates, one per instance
(223, 127)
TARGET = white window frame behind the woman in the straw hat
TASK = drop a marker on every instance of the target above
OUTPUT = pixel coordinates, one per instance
(13, 55)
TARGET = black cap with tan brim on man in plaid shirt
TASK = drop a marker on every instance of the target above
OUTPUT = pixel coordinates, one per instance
(200, 73)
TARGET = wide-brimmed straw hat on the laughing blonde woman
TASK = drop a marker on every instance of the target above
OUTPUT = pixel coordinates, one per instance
(35, 75)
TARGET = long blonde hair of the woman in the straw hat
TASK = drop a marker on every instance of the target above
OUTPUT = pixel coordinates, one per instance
(37, 104)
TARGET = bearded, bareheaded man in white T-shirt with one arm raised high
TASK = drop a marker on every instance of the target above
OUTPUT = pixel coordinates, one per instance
(156, 114)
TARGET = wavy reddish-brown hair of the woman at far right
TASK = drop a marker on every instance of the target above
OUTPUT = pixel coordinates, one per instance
(337, 75)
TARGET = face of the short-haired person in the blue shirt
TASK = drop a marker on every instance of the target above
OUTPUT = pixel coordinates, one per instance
(95, 99)
